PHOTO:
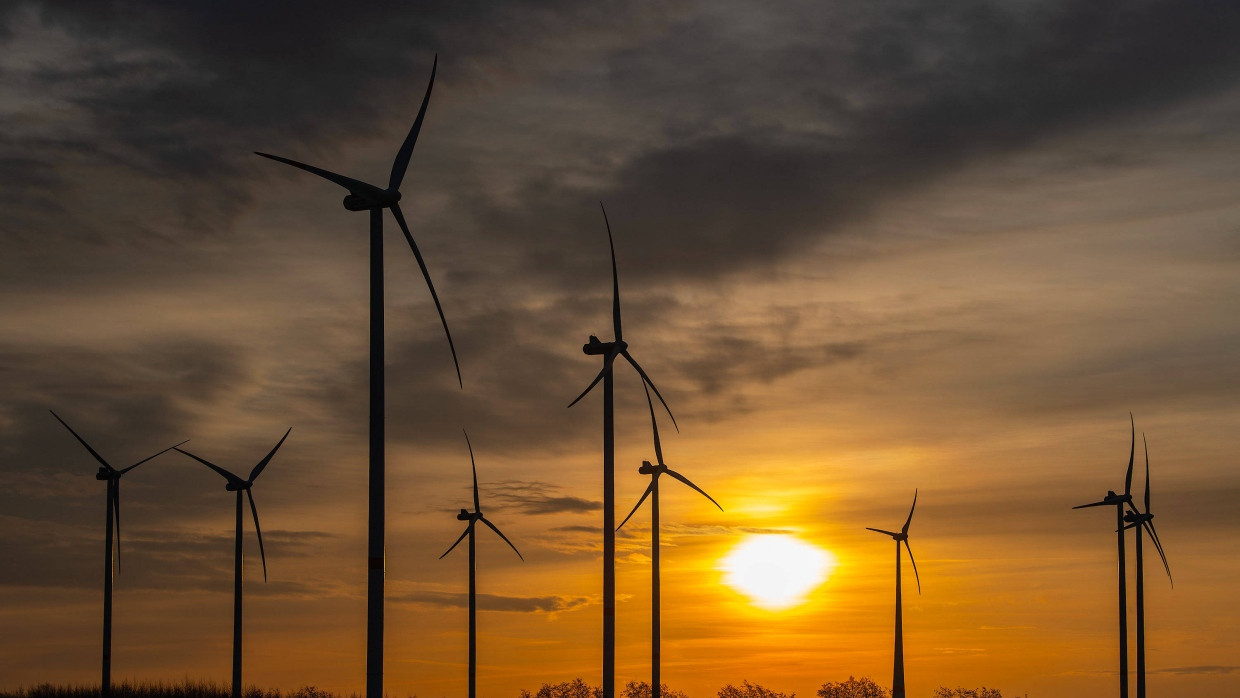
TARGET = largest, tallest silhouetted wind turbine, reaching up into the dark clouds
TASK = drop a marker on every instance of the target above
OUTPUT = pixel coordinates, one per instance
(369, 198)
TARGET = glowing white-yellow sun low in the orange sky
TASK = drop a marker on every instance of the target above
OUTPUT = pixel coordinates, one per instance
(777, 571)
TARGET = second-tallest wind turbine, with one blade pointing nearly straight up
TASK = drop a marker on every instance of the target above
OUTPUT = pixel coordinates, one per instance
(609, 351)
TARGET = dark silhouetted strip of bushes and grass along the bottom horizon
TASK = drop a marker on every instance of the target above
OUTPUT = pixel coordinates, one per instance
(862, 687)
